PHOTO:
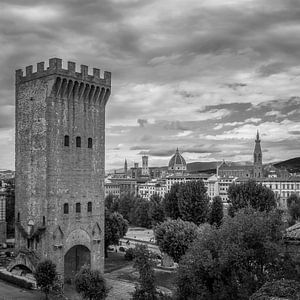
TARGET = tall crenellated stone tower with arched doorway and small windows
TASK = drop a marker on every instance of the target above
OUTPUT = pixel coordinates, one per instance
(60, 133)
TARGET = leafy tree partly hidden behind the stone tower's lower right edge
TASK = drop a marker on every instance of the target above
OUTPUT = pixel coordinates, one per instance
(115, 228)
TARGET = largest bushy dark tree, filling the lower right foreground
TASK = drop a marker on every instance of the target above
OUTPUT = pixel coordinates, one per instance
(232, 262)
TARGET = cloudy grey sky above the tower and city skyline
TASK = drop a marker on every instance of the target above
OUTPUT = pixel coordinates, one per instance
(199, 75)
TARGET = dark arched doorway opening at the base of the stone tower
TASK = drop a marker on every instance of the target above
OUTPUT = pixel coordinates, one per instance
(75, 258)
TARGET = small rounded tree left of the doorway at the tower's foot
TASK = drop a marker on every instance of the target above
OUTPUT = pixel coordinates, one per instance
(45, 276)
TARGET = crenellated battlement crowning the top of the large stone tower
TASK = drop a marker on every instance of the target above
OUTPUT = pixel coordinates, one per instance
(55, 68)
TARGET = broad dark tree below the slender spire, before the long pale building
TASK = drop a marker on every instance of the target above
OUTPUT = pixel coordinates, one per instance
(251, 194)
